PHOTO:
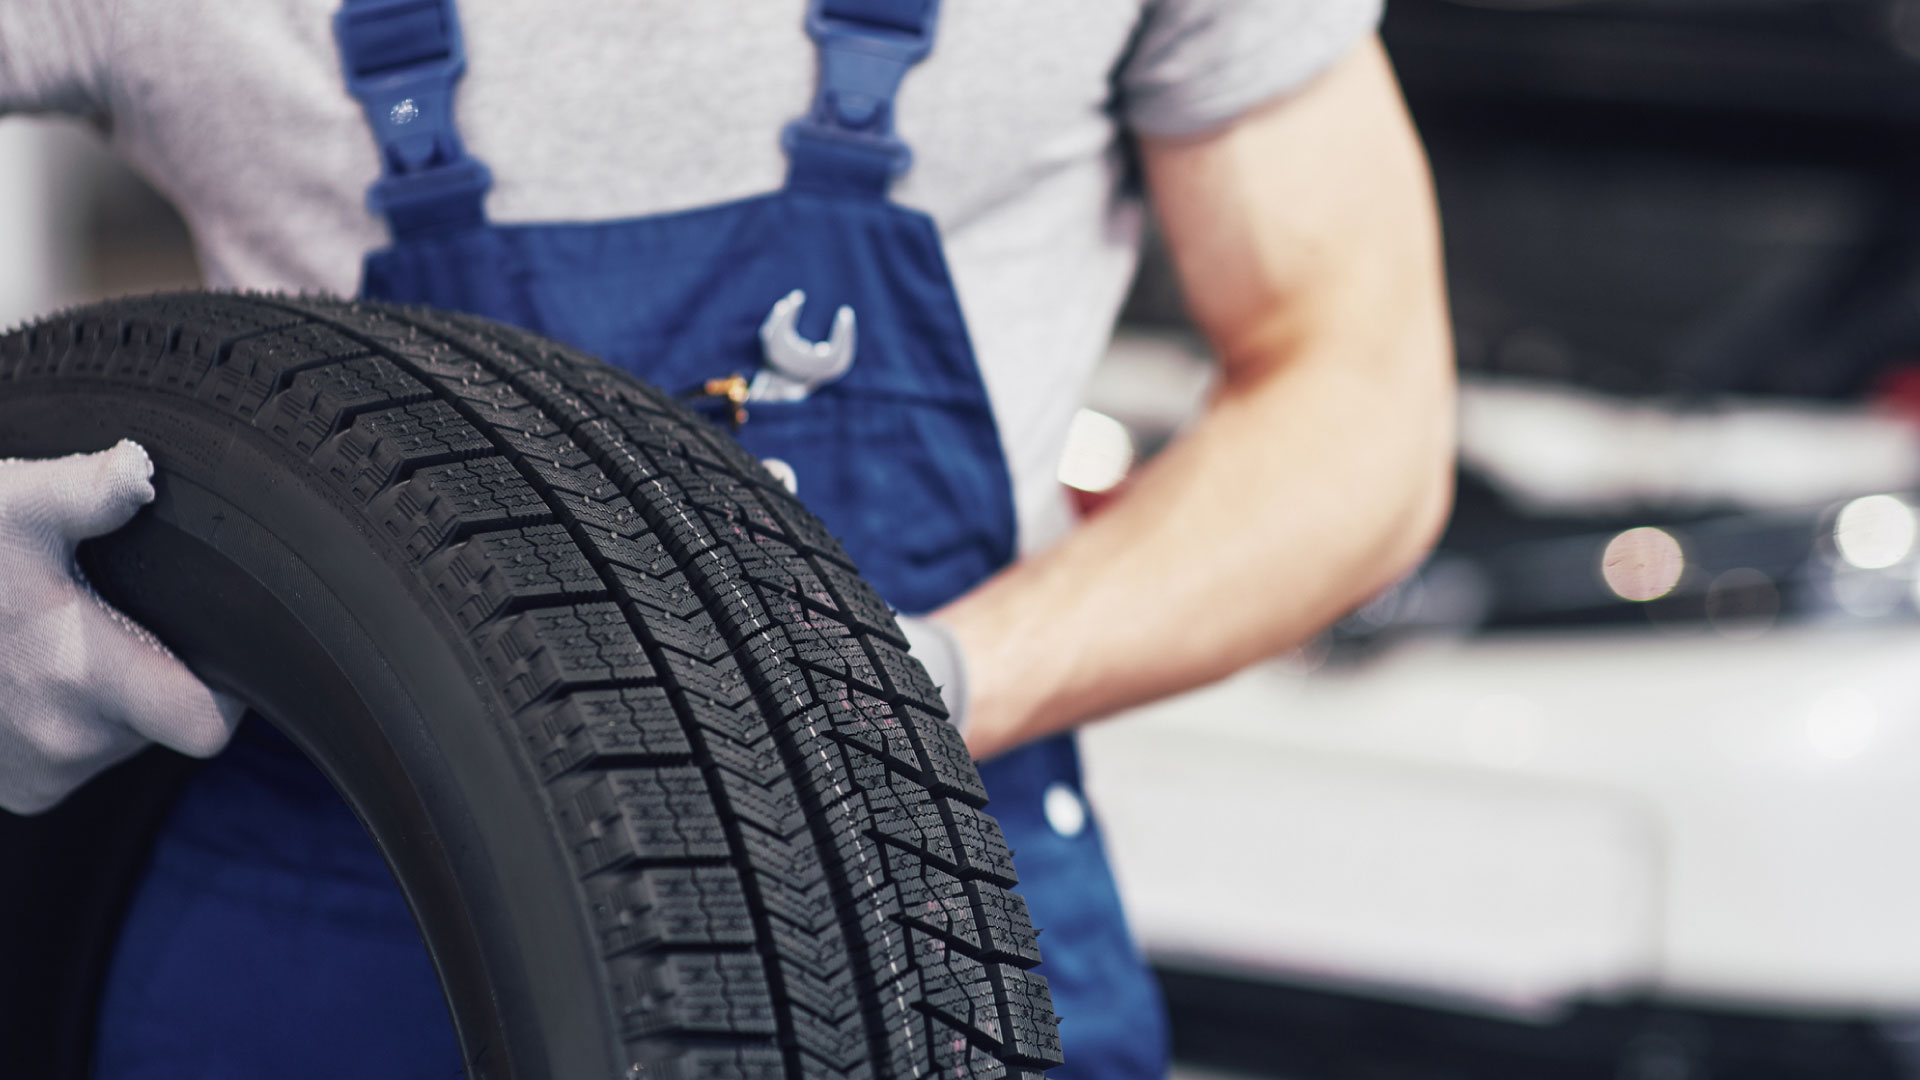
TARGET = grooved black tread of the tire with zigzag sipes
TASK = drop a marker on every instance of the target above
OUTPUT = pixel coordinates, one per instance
(779, 841)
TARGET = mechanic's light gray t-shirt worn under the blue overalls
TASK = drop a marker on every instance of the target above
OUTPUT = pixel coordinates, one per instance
(592, 110)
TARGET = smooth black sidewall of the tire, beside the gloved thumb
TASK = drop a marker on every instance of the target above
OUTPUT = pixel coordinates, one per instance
(423, 750)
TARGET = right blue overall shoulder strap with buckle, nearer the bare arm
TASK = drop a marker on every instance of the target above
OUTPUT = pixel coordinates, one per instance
(846, 143)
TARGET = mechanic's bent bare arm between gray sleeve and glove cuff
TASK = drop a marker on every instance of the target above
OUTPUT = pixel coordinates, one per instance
(1308, 249)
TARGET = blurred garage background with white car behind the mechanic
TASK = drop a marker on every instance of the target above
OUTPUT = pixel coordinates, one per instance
(1625, 783)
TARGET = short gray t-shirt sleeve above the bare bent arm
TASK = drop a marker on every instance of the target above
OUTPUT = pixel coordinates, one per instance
(1199, 64)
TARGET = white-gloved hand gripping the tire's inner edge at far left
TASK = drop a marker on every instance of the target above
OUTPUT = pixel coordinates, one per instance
(82, 685)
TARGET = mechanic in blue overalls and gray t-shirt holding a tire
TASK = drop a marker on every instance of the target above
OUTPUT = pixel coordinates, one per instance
(1293, 197)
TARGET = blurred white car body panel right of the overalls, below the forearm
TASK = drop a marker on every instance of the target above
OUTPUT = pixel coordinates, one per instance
(1514, 822)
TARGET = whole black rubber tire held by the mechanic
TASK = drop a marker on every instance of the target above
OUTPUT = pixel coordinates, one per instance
(648, 758)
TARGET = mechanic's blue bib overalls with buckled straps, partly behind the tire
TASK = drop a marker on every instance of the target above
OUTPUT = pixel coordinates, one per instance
(268, 914)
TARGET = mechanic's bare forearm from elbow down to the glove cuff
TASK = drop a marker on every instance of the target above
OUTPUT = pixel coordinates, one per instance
(1285, 506)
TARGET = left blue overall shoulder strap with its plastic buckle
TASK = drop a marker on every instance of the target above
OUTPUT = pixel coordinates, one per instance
(402, 61)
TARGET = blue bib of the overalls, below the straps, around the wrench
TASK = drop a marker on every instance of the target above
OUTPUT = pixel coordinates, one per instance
(900, 456)
